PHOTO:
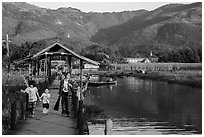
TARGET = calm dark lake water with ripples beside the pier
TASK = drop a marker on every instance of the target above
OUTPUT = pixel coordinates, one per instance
(139, 106)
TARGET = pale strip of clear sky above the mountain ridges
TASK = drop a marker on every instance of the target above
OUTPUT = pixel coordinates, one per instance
(98, 6)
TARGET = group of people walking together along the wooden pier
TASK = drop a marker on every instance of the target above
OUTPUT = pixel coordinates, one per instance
(69, 95)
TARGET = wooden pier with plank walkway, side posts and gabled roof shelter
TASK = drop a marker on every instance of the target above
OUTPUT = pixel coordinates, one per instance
(54, 123)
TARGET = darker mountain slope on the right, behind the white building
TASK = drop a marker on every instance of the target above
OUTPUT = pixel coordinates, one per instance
(170, 27)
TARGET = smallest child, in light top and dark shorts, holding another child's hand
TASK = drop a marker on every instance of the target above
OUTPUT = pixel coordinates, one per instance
(45, 98)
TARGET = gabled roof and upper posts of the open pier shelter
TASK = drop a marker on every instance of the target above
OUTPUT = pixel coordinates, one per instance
(43, 59)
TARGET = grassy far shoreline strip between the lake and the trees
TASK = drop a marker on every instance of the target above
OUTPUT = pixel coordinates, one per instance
(192, 78)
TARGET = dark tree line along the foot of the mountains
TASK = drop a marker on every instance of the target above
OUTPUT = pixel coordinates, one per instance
(105, 55)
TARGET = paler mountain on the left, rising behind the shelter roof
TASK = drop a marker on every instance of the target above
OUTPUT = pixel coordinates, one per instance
(28, 23)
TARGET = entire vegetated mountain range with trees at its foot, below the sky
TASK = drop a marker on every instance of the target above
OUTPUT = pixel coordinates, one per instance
(172, 32)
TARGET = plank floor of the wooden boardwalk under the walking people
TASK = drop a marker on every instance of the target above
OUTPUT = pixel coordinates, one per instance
(52, 124)
